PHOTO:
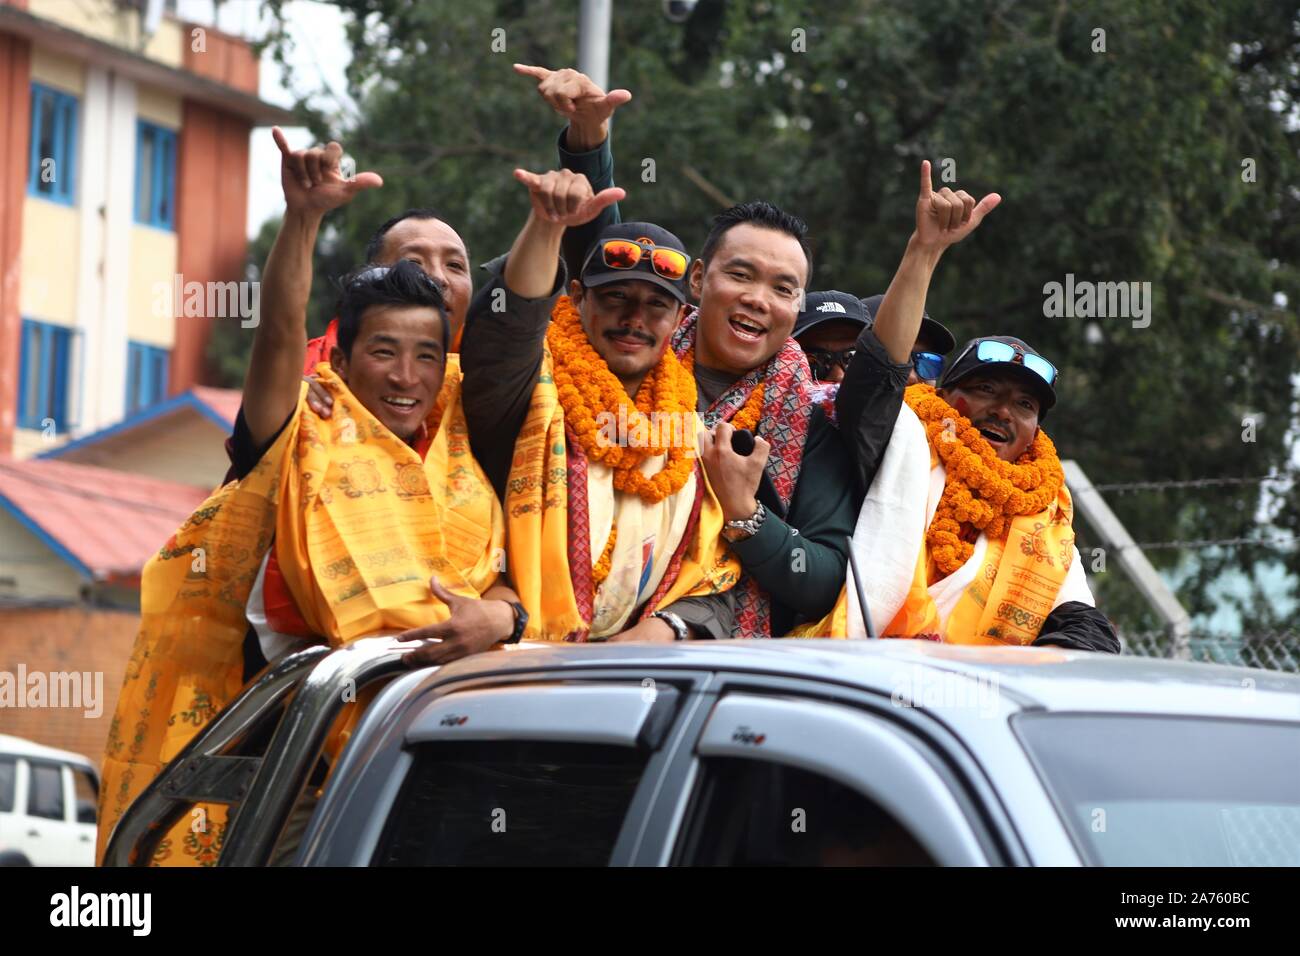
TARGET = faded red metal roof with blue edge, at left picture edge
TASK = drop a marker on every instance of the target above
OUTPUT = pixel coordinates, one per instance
(107, 524)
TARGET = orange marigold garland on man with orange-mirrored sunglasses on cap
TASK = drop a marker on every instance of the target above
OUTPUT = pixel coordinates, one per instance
(587, 388)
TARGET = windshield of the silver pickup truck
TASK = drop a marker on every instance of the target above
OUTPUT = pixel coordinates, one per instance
(1163, 791)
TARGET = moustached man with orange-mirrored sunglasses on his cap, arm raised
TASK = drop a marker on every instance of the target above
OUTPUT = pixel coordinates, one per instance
(586, 423)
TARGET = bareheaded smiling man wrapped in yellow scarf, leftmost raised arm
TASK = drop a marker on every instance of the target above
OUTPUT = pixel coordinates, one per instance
(376, 521)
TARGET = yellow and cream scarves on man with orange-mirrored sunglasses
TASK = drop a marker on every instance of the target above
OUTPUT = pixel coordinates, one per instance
(539, 529)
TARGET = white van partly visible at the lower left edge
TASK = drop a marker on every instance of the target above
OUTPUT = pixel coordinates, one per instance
(47, 806)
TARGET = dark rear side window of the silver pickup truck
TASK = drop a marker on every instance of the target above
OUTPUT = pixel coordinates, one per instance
(512, 804)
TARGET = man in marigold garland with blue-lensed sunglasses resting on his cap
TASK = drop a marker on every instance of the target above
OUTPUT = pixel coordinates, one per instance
(967, 533)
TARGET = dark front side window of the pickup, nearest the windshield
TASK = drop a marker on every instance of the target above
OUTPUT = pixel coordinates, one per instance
(760, 814)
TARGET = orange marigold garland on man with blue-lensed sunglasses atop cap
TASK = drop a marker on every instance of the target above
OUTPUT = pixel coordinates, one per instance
(981, 491)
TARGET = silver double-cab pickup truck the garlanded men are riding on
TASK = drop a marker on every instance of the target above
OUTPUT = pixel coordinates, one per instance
(755, 754)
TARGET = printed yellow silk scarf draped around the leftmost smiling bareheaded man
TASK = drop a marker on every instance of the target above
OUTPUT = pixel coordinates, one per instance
(359, 525)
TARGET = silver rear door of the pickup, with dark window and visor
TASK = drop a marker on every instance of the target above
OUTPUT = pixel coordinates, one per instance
(535, 772)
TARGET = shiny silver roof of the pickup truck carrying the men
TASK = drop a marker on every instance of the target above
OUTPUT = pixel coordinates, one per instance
(1034, 678)
